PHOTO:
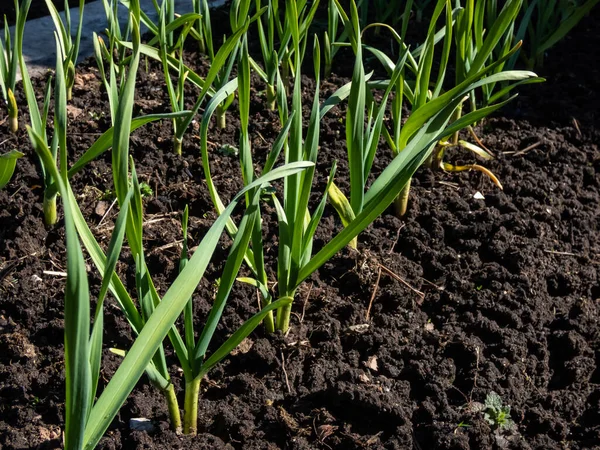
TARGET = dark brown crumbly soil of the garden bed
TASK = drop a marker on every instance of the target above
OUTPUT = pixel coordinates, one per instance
(510, 289)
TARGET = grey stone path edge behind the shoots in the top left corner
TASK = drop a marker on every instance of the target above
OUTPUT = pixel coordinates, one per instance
(39, 47)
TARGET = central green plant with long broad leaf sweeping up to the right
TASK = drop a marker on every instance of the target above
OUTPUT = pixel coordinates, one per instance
(297, 222)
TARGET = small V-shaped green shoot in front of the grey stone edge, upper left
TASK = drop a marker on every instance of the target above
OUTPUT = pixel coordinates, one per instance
(69, 46)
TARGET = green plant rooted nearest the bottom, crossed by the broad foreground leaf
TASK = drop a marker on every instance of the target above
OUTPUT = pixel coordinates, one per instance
(191, 354)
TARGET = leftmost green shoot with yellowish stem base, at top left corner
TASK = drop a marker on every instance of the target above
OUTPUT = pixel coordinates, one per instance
(9, 62)
